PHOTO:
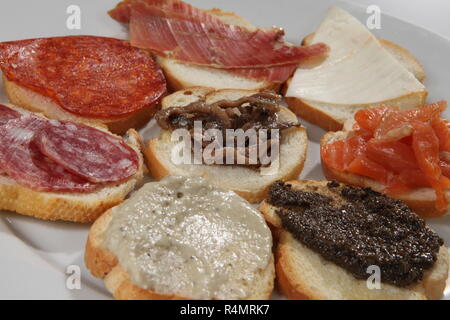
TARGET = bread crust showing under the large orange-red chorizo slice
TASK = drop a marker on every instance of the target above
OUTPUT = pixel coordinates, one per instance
(39, 103)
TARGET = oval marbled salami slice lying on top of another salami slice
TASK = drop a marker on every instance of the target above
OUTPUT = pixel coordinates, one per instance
(88, 152)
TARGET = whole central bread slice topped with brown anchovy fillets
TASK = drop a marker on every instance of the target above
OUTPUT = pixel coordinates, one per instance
(238, 139)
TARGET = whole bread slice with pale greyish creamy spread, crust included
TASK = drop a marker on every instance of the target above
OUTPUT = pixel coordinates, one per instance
(130, 284)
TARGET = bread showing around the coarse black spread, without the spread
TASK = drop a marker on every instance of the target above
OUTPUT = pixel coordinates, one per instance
(304, 274)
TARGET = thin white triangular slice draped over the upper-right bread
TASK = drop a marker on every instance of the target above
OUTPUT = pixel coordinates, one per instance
(358, 69)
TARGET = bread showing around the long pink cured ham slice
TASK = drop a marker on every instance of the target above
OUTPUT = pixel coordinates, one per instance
(181, 75)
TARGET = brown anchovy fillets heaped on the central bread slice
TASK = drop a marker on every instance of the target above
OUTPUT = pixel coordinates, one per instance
(257, 112)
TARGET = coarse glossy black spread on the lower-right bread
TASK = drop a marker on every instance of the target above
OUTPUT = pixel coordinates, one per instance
(358, 227)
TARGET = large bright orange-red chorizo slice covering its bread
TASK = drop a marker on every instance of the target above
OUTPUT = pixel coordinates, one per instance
(88, 76)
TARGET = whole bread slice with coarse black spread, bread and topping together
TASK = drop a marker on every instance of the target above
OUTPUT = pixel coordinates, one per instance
(337, 241)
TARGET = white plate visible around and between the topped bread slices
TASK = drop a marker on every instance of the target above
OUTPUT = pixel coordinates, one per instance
(34, 255)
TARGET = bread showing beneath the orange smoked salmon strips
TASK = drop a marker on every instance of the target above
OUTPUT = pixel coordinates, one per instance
(421, 201)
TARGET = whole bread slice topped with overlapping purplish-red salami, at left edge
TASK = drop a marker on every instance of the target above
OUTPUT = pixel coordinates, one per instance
(61, 170)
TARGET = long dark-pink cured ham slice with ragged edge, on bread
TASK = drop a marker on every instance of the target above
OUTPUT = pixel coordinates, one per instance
(191, 35)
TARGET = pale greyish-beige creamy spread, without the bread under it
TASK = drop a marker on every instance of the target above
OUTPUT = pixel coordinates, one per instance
(186, 237)
